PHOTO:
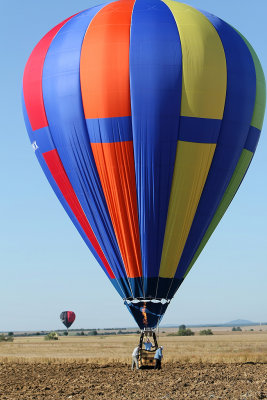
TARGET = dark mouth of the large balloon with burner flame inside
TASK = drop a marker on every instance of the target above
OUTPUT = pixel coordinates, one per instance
(147, 312)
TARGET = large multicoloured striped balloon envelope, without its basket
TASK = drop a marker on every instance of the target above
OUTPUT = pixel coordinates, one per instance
(144, 116)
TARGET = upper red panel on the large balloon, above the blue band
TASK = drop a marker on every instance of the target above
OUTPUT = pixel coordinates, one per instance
(32, 79)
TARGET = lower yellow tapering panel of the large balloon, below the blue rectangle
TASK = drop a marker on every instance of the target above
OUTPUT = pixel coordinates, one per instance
(192, 165)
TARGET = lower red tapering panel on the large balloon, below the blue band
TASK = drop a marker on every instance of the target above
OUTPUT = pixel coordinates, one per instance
(58, 172)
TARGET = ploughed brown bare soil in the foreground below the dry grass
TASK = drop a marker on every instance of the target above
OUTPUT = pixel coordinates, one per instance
(79, 380)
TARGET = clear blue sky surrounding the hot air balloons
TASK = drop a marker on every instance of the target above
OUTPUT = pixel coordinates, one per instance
(45, 265)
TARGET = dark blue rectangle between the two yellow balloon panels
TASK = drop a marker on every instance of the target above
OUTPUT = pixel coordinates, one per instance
(199, 130)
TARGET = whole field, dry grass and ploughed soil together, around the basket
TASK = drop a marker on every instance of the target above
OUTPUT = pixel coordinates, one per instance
(88, 368)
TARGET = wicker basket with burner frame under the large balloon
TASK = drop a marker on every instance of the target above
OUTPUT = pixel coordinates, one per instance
(146, 357)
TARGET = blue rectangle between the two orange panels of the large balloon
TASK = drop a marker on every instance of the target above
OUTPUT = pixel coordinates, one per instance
(110, 130)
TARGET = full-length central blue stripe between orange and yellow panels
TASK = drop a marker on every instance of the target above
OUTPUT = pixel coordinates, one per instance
(155, 82)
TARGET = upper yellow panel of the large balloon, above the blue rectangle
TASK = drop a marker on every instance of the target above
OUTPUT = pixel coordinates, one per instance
(204, 64)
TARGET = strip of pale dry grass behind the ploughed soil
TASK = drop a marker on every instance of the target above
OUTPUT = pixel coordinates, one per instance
(229, 348)
